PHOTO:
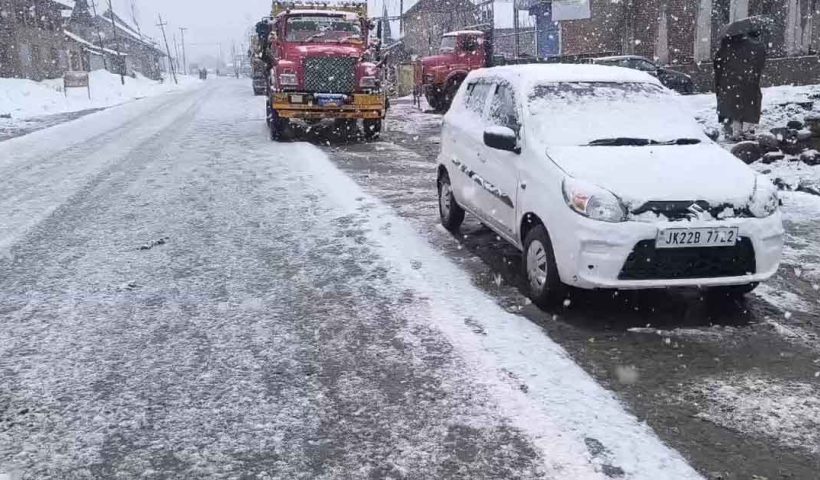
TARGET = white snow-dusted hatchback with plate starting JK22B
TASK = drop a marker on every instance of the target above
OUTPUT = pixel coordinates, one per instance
(601, 178)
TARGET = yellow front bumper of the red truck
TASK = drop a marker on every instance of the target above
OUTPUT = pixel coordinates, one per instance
(363, 106)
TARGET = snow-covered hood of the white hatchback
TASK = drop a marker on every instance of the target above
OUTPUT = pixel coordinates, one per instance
(640, 174)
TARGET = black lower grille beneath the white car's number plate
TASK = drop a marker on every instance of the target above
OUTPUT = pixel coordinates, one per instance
(646, 262)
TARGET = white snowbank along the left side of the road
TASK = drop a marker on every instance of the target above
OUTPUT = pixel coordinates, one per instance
(22, 98)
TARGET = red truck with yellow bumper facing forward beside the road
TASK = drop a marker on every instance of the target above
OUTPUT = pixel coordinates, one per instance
(323, 66)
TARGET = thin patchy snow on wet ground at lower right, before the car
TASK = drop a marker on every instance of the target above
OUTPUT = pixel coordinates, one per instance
(789, 412)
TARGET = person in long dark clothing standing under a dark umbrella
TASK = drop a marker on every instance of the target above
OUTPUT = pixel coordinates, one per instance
(739, 66)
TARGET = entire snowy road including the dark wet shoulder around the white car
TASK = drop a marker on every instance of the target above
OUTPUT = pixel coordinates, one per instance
(181, 298)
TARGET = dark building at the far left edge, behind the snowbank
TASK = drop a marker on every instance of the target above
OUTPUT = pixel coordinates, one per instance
(32, 44)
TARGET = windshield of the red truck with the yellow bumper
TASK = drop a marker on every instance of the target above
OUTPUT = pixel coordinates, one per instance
(323, 29)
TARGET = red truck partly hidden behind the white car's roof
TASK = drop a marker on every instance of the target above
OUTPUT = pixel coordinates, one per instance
(438, 77)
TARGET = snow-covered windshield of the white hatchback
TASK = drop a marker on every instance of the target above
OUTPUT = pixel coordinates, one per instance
(577, 113)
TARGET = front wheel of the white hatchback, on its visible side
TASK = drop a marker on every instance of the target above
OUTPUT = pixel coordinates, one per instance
(540, 269)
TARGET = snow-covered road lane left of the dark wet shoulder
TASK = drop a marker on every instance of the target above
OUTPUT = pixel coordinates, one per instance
(181, 298)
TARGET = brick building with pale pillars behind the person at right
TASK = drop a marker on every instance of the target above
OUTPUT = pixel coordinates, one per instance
(673, 31)
